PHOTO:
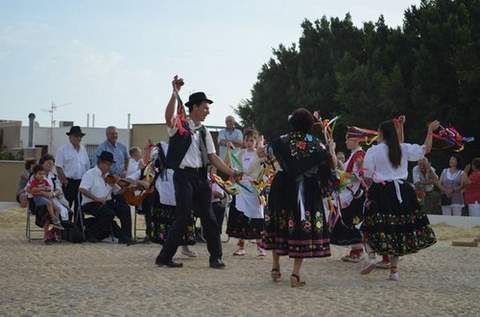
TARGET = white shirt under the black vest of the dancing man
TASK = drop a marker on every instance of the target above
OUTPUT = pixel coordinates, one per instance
(193, 157)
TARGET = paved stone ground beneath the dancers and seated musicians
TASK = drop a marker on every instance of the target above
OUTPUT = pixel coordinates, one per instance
(108, 279)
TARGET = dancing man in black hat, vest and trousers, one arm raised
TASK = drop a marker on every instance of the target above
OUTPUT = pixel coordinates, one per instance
(190, 150)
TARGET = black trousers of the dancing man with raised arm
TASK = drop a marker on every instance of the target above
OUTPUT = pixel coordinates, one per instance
(192, 191)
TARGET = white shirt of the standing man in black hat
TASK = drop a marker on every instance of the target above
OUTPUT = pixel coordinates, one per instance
(74, 163)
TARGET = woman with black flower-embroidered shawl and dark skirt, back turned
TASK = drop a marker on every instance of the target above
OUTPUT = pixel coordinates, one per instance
(295, 223)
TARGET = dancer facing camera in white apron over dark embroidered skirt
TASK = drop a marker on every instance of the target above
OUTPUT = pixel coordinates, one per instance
(245, 217)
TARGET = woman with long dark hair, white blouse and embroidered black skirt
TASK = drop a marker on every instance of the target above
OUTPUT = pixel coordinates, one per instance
(394, 224)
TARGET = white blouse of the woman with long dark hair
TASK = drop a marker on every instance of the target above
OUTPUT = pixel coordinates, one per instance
(378, 167)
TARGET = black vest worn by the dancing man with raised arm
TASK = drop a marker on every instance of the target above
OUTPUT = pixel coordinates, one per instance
(178, 146)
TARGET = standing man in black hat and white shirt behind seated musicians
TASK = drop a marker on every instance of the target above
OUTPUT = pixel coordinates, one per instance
(72, 163)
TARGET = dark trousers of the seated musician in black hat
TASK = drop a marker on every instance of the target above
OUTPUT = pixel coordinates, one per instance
(103, 224)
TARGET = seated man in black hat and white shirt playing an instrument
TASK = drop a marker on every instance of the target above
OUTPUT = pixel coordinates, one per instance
(97, 199)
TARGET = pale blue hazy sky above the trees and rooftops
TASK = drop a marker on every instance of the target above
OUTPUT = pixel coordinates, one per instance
(117, 57)
